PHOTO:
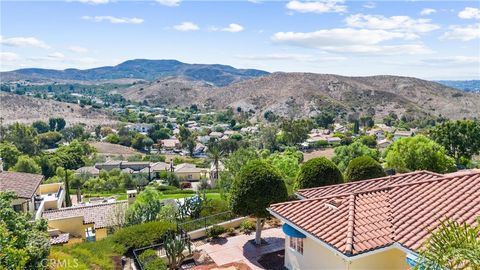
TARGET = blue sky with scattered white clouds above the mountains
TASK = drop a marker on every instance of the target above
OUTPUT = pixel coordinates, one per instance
(425, 39)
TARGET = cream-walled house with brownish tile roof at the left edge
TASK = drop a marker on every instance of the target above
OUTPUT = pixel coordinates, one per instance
(31, 196)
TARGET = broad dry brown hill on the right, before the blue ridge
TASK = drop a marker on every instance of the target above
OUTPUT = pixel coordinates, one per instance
(305, 94)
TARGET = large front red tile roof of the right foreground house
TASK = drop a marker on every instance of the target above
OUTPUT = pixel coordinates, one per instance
(402, 213)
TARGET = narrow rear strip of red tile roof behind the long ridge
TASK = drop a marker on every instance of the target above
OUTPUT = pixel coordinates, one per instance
(367, 184)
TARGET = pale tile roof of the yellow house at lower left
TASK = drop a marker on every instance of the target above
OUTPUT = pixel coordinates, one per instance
(102, 214)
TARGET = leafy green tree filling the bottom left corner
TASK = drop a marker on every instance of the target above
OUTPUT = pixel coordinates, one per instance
(24, 244)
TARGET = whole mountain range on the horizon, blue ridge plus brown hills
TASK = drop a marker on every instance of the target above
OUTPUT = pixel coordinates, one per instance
(294, 94)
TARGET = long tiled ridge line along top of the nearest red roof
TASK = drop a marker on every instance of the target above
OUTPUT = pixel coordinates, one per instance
(379, 188)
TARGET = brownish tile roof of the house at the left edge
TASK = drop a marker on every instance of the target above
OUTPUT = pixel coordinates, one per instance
(23, 184)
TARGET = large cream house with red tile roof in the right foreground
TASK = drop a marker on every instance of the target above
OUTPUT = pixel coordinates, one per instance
(373, 224)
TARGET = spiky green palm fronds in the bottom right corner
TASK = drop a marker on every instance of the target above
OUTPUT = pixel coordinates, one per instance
(452, 246)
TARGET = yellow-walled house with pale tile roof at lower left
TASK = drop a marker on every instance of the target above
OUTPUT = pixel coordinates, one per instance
(86, 222)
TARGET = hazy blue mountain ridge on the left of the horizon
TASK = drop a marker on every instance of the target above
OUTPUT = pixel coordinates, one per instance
(219, 75)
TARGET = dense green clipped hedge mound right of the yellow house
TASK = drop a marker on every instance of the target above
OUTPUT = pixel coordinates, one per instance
(142, 235)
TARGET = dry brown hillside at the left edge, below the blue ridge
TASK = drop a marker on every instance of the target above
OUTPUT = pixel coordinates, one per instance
(24, 109)
